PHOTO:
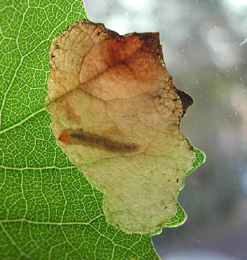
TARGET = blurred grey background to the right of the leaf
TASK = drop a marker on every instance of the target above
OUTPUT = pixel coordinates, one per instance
(205, 49)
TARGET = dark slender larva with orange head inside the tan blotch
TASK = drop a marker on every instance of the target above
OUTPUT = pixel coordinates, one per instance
(80, 137)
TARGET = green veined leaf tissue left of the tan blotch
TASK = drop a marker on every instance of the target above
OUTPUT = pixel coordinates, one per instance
(48, 210)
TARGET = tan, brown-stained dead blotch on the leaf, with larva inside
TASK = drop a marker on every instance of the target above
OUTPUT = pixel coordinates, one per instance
(115, 113)
